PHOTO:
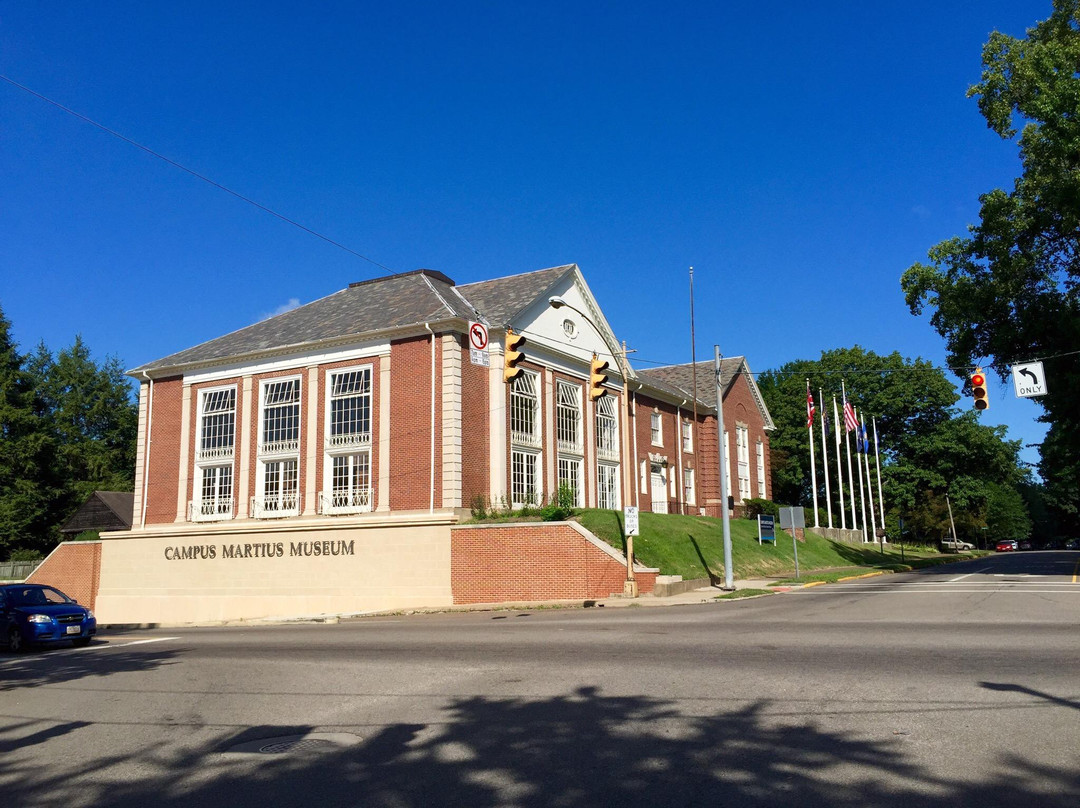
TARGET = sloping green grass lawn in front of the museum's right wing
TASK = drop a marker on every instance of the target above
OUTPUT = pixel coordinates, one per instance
(693, 547)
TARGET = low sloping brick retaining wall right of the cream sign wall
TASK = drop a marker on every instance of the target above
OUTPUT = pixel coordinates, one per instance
(533, 562)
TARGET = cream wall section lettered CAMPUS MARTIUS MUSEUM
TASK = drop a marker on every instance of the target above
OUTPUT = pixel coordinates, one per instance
(376, 569)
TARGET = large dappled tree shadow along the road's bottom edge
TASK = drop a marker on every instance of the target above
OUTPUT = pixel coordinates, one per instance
(580, 749)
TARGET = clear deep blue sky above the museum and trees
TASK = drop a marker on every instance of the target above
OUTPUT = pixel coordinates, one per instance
(801, 157)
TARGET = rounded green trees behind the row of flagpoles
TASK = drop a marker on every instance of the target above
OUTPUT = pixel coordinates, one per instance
(928, 450)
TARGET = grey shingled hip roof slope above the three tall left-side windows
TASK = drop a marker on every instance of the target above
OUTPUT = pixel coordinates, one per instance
(384, 304)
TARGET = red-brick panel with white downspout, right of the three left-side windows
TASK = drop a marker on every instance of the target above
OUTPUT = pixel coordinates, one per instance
(411, 424)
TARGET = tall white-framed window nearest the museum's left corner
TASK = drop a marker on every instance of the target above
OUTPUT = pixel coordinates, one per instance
(215, 449)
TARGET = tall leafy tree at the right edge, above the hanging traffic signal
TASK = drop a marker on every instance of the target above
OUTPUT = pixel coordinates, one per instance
(1010, 290)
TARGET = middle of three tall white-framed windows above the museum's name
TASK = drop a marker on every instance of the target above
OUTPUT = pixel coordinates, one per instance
(278, 486)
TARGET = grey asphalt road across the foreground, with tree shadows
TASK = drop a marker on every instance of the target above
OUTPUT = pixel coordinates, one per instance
(952, 688)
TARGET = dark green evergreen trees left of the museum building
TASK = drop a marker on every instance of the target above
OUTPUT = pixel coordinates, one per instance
(69, 428)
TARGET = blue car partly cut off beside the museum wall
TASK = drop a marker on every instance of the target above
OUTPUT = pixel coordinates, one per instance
(32, 614)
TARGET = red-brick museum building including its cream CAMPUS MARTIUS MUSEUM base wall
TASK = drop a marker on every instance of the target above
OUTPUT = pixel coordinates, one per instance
(323, 461)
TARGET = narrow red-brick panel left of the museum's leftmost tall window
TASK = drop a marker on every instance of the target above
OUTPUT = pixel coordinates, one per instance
(165, 467)
